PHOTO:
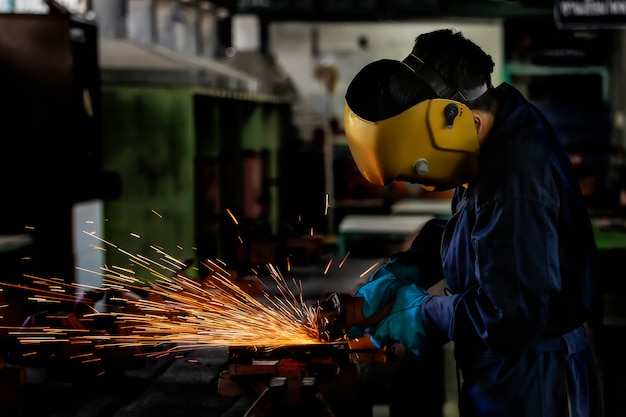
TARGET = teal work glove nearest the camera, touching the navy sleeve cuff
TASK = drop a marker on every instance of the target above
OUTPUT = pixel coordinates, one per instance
(403, 324)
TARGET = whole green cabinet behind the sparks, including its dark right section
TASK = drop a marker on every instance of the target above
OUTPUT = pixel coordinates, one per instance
(187, 161)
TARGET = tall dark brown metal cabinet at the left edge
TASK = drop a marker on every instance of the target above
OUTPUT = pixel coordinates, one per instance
(50, 159)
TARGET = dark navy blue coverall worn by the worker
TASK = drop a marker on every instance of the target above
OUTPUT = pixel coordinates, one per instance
(518, 256)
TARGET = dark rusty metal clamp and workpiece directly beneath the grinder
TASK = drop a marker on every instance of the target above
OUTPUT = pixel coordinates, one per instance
(305, 380)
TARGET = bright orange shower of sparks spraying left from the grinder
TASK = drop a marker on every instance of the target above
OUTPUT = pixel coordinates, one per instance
(179, 312)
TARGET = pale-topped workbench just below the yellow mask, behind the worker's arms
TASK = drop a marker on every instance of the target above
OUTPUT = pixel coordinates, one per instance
(383, 226)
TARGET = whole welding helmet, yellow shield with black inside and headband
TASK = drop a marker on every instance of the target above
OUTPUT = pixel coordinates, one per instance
(433, 143)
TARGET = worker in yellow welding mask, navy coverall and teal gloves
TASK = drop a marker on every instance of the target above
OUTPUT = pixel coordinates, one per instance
(517, 254)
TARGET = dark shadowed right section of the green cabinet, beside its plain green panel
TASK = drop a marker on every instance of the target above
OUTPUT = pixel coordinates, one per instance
(237, 171)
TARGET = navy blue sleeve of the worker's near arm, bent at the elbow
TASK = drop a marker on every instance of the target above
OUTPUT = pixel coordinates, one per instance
(514, 271)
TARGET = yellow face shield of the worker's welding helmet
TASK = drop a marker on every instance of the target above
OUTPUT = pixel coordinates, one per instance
(433, 144)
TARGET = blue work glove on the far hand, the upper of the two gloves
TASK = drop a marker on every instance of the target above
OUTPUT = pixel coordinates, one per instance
(383, 284)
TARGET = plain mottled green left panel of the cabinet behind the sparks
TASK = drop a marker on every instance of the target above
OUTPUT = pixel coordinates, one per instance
(149, 142)
